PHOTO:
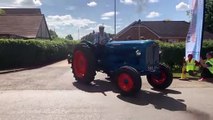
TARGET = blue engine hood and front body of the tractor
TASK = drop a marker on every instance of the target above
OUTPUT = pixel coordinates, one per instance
(143, 55)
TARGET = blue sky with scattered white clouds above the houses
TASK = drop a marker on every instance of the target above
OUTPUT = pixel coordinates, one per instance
(80, 17)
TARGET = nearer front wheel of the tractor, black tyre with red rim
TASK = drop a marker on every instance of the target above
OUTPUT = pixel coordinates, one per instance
(127, 80)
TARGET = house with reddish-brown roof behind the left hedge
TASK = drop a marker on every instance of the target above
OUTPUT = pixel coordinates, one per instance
(26, 23)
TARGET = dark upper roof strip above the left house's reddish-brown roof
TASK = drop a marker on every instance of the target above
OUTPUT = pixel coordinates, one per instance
(22, 11)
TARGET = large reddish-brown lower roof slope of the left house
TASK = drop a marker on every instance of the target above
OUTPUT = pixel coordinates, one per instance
(24, 26)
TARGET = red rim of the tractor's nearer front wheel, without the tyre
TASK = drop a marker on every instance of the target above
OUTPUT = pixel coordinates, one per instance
(125, 82)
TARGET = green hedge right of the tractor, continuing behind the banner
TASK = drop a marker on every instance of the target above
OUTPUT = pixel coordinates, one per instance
(172, 54)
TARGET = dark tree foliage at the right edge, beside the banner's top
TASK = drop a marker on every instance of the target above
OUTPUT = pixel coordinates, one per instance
(209, 16)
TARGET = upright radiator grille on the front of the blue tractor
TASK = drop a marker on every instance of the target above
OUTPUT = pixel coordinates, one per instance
(152, 56)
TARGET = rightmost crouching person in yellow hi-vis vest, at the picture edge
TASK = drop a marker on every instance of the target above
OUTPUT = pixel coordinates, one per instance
(207, 65)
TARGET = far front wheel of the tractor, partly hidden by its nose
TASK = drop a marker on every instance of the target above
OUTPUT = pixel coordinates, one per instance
(163, 80)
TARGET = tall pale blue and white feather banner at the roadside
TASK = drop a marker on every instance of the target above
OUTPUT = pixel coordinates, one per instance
(195, 33)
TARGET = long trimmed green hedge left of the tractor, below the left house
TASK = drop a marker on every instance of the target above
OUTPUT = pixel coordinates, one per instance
(25, 53)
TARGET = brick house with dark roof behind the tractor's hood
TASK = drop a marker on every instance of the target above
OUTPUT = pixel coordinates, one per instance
(167, 31)
